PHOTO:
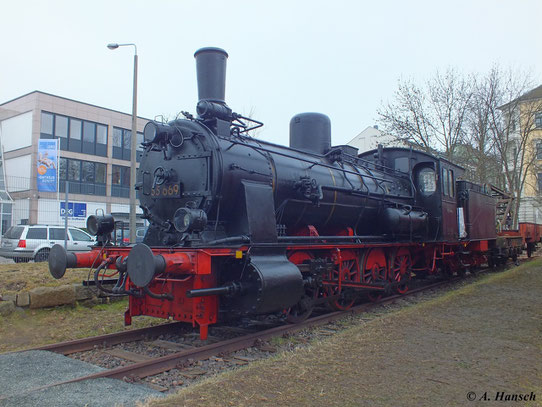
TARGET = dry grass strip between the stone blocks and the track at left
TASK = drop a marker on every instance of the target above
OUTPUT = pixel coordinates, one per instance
(31, 328)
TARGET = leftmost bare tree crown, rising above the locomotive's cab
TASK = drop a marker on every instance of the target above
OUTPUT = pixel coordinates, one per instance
(431, 117)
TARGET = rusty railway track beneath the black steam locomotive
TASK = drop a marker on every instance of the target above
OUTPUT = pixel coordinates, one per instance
(145, 366)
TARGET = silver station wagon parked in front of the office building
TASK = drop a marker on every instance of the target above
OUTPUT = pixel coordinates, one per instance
(23, 243)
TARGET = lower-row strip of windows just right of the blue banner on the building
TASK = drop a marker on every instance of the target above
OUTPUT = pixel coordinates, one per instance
(84, 177)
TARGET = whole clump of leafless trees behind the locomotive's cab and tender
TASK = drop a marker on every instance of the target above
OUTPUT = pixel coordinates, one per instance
(484, 123)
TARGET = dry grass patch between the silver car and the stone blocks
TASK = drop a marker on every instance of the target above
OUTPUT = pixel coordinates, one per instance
(19, 277)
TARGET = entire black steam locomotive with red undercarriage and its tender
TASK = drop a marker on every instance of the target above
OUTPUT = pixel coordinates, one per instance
(243, 226)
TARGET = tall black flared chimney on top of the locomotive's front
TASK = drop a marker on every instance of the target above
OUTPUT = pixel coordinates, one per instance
(211, 72)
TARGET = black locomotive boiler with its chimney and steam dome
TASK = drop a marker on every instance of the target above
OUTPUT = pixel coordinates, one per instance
(205, 179)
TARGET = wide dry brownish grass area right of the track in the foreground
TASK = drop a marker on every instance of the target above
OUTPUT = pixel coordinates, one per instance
(484, 337)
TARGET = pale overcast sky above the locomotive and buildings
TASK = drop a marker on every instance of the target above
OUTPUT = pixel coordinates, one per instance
(341, 58)
